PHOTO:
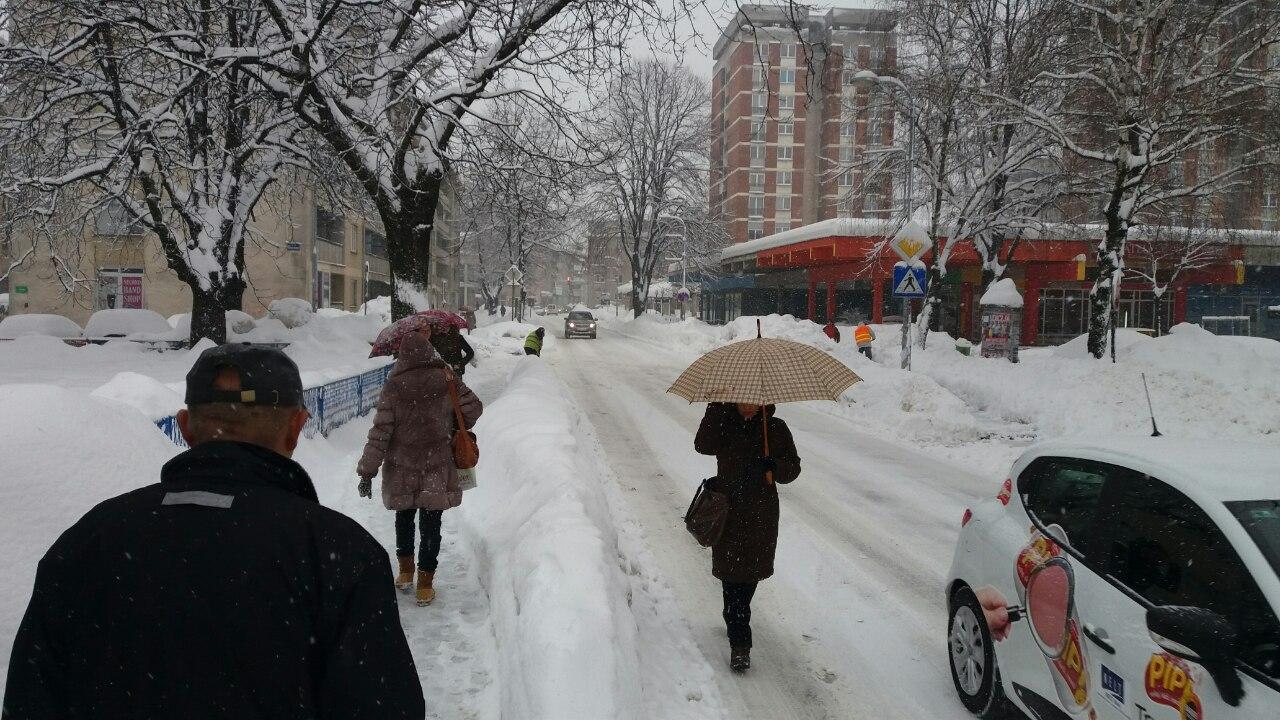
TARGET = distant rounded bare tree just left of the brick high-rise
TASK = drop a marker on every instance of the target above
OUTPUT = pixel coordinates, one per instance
(651, 166)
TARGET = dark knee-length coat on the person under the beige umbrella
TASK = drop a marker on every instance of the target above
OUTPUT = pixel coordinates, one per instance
(746, 552)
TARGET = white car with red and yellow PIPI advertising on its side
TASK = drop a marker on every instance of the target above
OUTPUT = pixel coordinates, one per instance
(1128, 578)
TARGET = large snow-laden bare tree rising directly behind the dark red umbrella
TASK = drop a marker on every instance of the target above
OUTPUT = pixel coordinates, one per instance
(391, 84)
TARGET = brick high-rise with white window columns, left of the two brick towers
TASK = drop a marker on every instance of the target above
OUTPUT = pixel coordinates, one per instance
(789, 115)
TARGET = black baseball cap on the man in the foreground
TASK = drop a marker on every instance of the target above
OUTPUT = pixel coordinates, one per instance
(268, 377)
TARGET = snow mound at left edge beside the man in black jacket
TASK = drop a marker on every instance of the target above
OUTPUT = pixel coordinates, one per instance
(63, 454)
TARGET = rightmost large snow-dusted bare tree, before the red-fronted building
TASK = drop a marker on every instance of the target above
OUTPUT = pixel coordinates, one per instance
(1153, 83)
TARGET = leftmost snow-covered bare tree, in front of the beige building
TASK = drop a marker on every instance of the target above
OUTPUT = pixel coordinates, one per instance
(131, 113)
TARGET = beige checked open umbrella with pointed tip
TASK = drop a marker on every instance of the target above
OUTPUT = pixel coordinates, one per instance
(765, 372)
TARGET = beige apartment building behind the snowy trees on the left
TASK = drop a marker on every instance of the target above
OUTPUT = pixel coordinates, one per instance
(301, 248)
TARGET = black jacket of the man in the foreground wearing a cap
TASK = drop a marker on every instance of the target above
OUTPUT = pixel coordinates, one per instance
(225, 591)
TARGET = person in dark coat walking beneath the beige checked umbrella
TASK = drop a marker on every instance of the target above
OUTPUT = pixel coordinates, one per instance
(744, 472)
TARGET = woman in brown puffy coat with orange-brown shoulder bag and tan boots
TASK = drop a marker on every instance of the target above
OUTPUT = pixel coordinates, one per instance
(412, 443)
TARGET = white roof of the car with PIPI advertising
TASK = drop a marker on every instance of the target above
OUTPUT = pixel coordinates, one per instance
(1201, 468)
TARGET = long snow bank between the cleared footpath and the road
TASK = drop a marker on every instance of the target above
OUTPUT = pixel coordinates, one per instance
(548, 553)
